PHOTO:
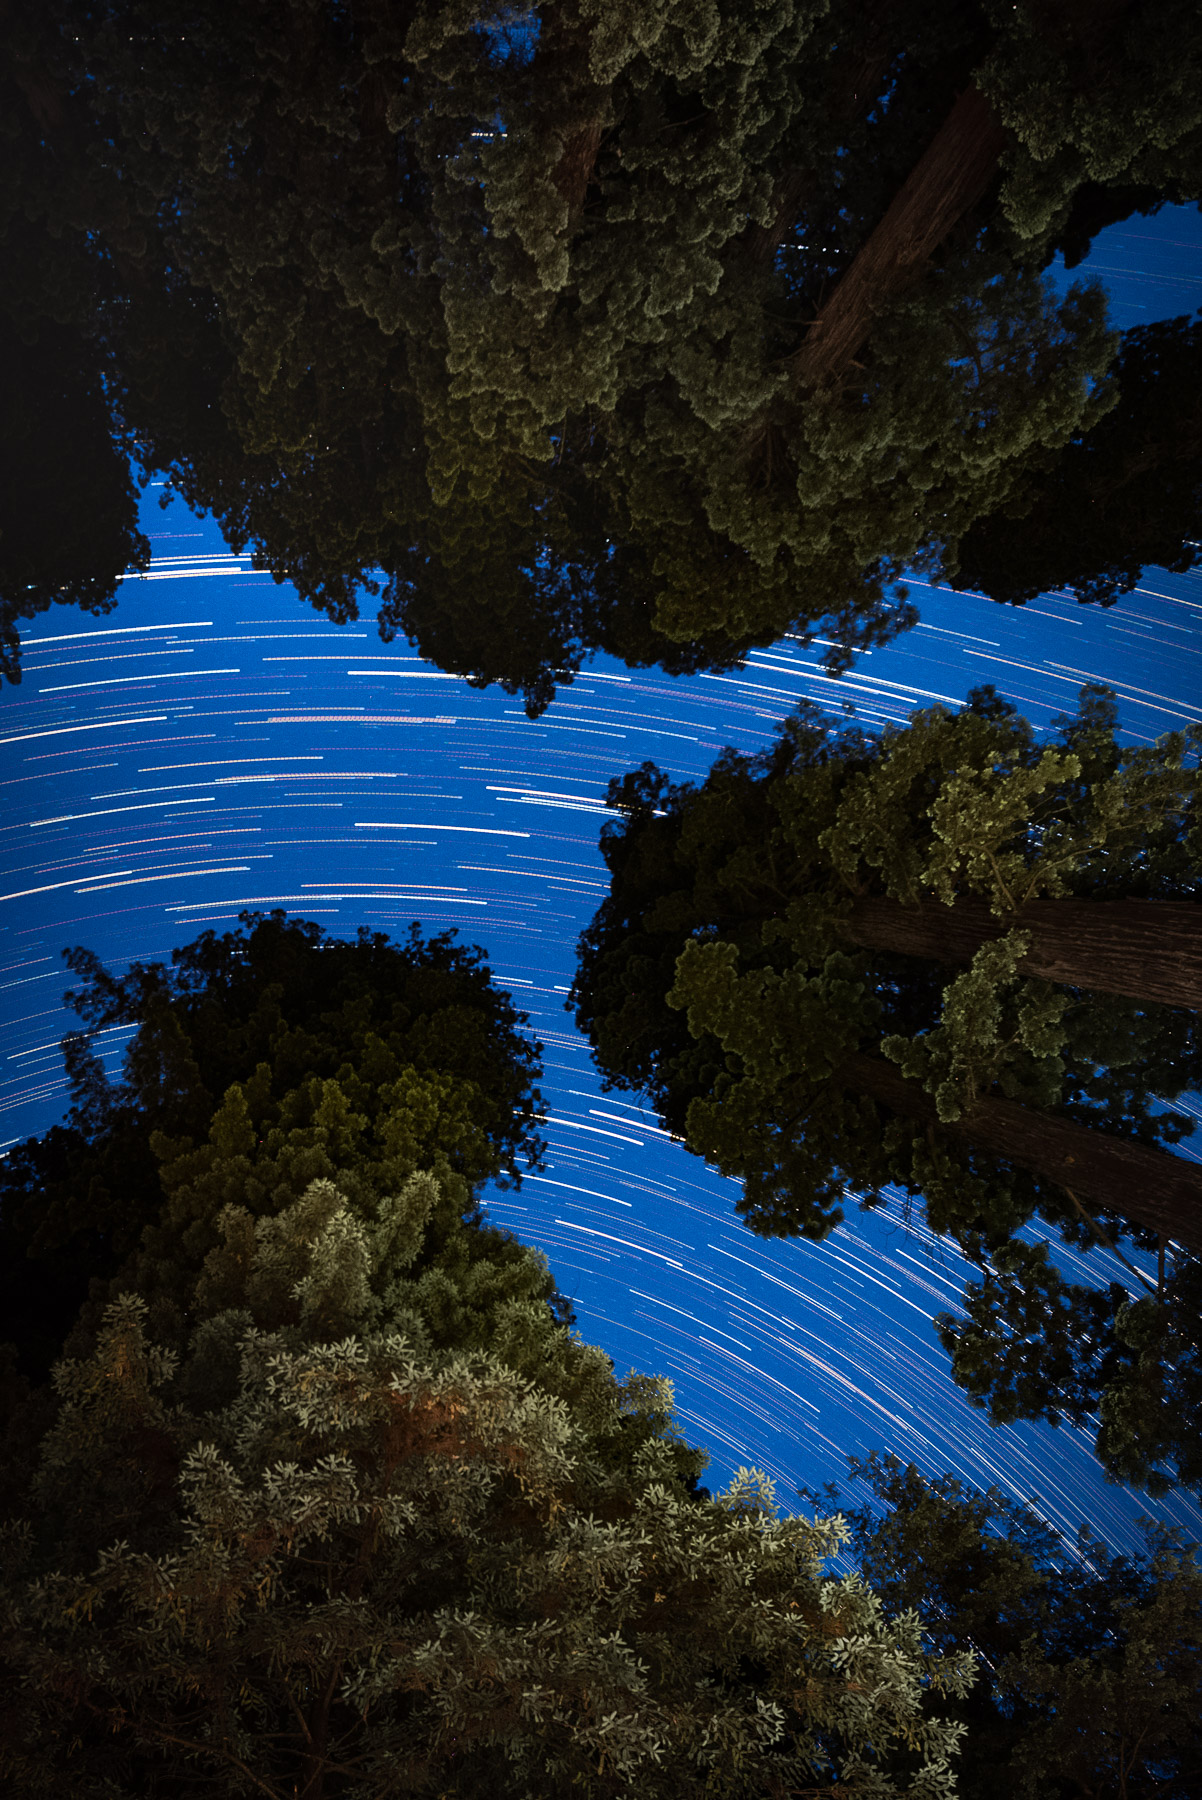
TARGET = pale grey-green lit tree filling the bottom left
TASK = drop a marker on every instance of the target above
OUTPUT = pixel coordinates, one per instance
(377, 1525)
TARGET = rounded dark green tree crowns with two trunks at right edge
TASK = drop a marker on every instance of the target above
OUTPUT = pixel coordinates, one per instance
(776, 966)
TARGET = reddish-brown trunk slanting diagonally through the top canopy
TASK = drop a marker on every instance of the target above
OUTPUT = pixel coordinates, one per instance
(947, 181)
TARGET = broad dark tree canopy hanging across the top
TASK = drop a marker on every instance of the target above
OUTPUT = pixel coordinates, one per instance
(564, 328)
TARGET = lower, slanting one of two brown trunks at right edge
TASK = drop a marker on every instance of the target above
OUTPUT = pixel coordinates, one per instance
(1149, 1187)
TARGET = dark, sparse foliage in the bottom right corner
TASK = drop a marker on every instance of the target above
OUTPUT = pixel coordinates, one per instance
(1091, 1664)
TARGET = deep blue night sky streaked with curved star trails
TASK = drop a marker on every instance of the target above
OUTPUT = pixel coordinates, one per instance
(213, 744)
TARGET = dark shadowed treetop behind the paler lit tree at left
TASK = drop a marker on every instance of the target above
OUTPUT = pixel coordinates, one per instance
(274, 1005)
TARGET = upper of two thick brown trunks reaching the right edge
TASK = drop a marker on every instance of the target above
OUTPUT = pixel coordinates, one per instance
(1145, 949)
